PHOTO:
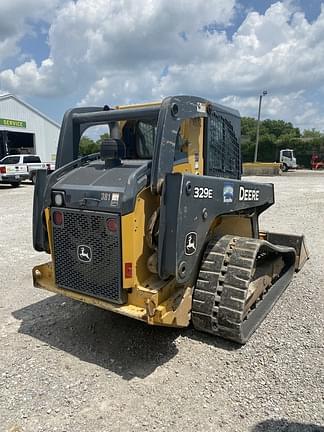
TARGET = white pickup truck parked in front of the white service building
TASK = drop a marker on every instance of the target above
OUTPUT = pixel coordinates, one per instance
(15, 168)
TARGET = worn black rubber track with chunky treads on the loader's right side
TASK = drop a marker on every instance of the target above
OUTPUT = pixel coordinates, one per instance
(220, 294)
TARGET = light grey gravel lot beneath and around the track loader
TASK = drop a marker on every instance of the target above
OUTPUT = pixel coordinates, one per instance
(67, 366)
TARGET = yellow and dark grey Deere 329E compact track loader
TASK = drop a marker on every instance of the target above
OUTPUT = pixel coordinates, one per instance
(158, 225)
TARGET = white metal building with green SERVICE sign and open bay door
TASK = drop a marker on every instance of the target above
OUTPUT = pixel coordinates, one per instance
(24, 129)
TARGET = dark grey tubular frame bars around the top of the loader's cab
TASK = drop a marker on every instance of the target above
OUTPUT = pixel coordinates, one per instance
(169, 115)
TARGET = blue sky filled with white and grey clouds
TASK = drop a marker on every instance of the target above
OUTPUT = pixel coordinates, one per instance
(57, 54)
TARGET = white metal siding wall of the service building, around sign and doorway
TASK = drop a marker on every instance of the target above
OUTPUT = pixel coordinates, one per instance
(46, 134)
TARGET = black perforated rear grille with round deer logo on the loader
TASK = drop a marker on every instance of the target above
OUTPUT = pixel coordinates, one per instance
(87, 255)
